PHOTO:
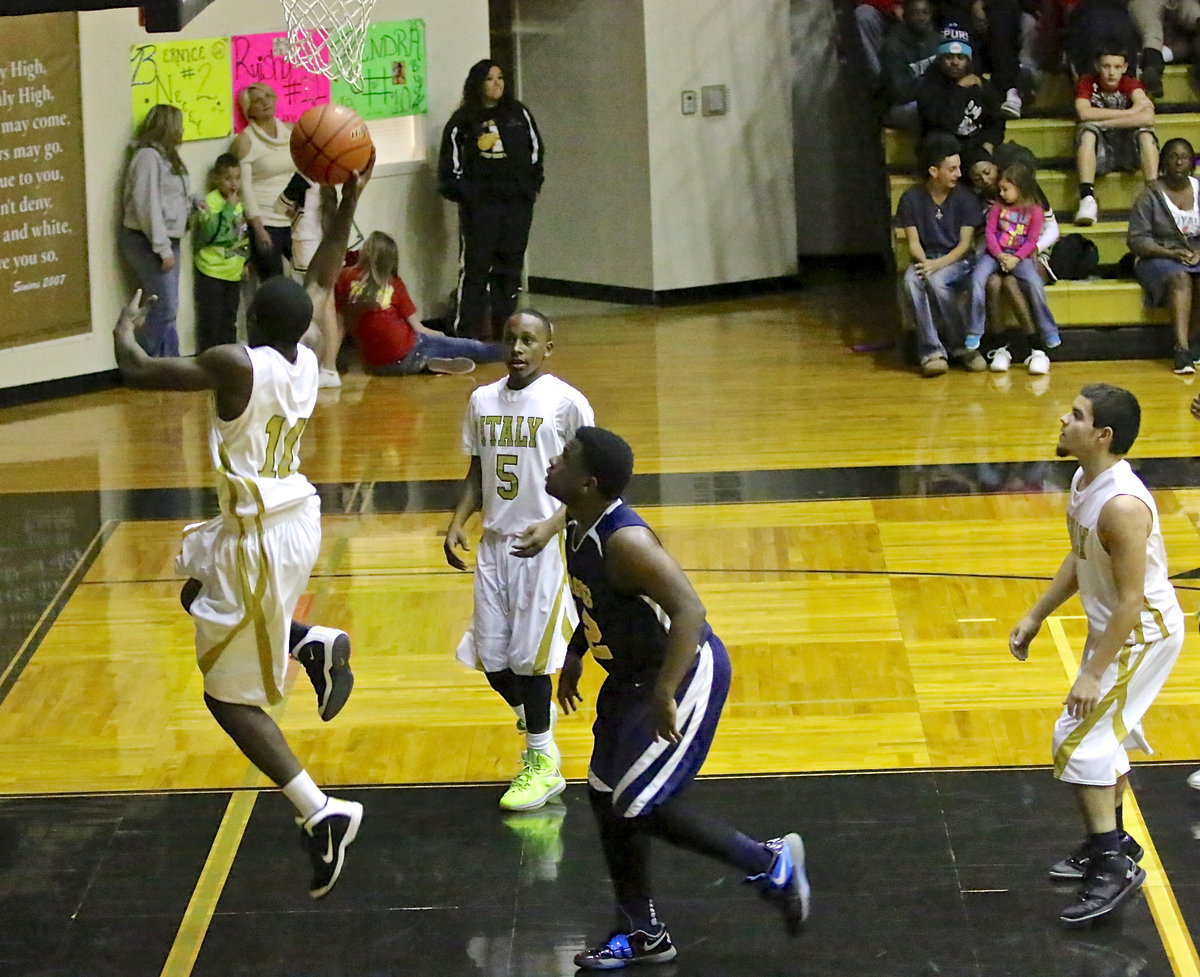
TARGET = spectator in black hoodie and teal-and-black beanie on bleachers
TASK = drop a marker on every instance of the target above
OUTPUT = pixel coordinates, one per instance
(955, 101)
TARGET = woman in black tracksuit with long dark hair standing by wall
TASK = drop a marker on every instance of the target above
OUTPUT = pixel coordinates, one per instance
(491, 166)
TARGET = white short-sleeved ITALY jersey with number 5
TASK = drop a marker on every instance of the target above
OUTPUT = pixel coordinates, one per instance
(515, 434)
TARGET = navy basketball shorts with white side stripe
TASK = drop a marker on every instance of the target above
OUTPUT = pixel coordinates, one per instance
(631, 762)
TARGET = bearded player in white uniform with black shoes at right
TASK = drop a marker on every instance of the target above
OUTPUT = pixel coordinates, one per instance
(1118, 566)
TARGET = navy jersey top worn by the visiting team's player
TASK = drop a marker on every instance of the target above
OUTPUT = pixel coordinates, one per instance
(626, 633)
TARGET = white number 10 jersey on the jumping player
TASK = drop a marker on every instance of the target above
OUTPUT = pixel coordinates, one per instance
(257, 455)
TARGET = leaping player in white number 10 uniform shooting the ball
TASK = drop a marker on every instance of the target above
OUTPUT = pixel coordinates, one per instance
(249, 567)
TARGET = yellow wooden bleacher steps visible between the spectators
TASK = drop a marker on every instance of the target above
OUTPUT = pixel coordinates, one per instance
(1099, 304)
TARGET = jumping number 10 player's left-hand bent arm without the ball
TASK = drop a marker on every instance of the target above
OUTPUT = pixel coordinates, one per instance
(224, 369)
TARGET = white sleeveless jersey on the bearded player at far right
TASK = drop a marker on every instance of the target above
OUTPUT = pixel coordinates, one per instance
(1161, 613)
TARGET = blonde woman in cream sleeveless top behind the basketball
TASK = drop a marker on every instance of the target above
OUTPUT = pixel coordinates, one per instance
(265, 151)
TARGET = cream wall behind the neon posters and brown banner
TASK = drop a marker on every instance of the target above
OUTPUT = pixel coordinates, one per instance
(406, 205)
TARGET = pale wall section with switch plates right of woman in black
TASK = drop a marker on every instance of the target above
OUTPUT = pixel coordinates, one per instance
(716, 194)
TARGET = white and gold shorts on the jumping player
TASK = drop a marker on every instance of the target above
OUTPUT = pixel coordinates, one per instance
(251, 579)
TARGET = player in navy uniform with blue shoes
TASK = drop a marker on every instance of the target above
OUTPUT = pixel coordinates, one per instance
(658, 710)
